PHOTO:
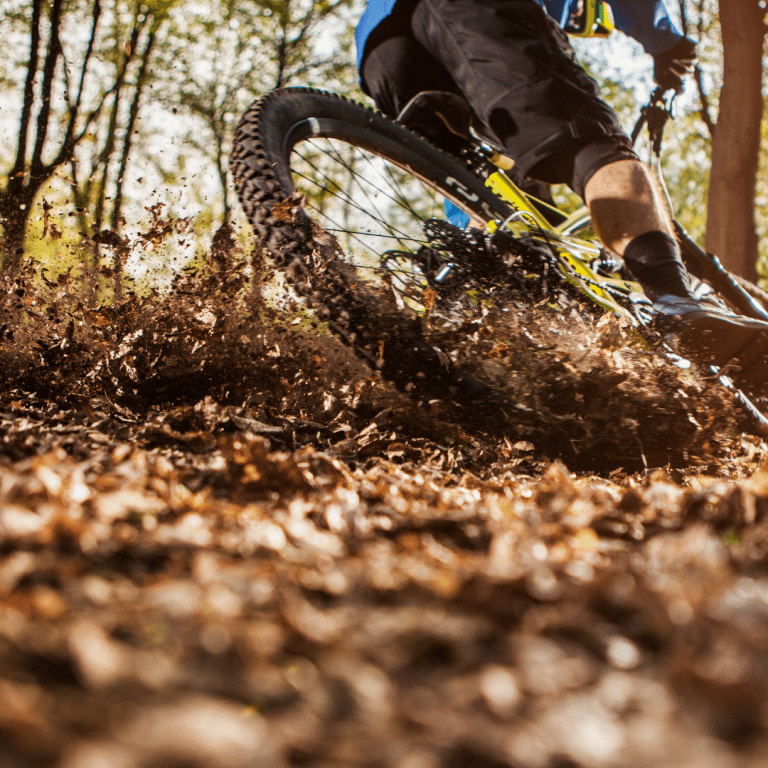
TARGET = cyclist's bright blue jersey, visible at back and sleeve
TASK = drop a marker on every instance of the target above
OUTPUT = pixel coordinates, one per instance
(646, 21)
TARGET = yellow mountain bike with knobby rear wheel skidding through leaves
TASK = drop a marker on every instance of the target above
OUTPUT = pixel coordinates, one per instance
(356, 208)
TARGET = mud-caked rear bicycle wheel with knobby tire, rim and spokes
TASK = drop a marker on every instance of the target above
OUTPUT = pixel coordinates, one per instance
(303, 158)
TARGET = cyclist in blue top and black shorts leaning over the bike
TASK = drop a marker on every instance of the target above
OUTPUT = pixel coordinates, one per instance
(512, 62)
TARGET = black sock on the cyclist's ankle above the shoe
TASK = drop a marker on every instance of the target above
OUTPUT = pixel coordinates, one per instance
(654, 259)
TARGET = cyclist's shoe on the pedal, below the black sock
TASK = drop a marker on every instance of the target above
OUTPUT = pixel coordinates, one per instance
(710, 333)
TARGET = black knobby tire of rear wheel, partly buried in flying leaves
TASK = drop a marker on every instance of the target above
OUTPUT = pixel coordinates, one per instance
(366, 315)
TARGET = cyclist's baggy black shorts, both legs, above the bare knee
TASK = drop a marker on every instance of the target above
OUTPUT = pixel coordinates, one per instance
(517, 70)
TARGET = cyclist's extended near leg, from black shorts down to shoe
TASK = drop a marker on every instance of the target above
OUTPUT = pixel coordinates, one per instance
(516, 69)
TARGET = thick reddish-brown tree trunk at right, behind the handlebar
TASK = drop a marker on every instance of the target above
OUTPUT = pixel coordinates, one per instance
(731, 232)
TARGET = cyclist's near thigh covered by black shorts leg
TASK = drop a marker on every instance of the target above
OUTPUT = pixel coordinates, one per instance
(516, 69)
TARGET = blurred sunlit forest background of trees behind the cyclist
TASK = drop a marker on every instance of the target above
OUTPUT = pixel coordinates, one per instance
(116, 118)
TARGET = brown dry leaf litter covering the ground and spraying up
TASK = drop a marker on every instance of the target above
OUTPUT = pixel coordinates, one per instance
(225, 541)
